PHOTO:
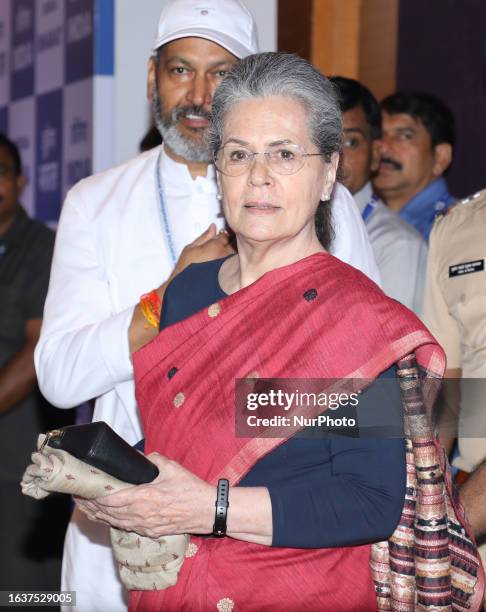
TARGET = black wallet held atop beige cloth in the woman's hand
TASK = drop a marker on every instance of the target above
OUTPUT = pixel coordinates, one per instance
(99, 446)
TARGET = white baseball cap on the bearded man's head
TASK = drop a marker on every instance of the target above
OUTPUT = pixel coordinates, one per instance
(225, 22)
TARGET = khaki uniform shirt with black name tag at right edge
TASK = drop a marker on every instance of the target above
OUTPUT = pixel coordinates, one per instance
(455, 312)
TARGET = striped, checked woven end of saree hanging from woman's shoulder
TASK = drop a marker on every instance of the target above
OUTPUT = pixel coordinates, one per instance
(430, 562)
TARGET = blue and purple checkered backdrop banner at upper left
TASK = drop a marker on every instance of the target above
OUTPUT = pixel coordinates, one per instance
(52, 55)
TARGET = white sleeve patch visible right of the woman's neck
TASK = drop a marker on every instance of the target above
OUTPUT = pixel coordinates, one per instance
(351, 243)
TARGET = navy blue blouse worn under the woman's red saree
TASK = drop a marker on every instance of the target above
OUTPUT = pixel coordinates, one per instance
(326, 490)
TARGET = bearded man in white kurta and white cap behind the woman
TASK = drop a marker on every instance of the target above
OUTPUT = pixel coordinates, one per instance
(114, 244)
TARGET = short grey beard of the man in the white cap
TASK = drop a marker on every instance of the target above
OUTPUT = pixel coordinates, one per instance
(188, 149)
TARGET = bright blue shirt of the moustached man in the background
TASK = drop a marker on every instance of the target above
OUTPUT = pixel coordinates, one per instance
(420, 211)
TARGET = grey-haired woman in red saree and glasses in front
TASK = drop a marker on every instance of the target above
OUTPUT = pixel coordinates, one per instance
(303, 511)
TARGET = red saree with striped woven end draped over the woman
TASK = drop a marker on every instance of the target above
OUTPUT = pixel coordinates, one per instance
(318, 318)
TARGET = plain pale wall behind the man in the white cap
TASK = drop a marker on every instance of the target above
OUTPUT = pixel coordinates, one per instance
(135, 29)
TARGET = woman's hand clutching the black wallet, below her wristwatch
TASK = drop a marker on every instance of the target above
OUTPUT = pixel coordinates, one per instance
(176, 502)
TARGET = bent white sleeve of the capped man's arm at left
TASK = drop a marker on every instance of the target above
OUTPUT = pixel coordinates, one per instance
(83, 348)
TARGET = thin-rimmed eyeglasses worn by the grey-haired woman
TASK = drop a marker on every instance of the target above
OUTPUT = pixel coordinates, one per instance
(234, 159)
